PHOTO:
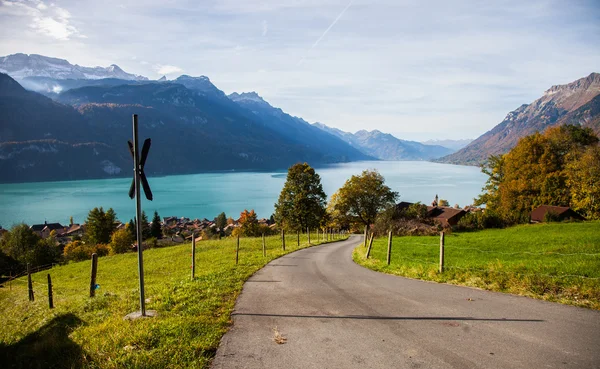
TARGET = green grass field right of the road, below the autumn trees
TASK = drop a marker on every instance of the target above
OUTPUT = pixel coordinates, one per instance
(555, 262)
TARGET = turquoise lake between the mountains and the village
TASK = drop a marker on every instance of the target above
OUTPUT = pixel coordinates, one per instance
(206, 195)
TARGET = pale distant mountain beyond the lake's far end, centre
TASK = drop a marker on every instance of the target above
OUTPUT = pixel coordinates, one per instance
(384, 146)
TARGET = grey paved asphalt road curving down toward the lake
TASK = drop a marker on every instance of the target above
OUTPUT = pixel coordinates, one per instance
(336, 314)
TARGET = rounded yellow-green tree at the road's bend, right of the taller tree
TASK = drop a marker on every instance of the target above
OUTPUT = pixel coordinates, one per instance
(362, 197)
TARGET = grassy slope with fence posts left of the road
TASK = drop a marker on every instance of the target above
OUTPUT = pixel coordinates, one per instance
(91, 332)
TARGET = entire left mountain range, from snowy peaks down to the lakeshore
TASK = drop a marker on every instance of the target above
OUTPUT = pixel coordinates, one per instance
(77, 126)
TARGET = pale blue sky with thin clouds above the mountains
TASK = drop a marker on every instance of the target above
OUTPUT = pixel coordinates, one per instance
(417, 69)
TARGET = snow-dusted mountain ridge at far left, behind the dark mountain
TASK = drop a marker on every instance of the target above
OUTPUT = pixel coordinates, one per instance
(20, 66)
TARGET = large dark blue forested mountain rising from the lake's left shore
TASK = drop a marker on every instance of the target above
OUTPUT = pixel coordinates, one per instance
(84, 133)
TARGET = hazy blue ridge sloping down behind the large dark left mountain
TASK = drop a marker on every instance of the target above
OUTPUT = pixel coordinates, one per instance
(297, 129)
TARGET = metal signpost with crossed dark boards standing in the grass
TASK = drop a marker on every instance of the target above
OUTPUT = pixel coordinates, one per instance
(134, 191)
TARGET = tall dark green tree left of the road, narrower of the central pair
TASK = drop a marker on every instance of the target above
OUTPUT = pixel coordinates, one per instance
(302, 200)
